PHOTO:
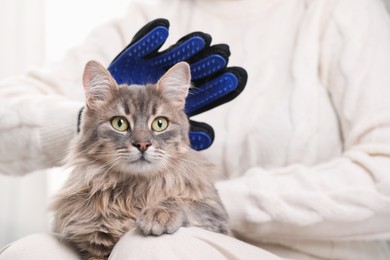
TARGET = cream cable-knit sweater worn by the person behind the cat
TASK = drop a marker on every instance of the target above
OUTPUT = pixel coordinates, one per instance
(305, 148)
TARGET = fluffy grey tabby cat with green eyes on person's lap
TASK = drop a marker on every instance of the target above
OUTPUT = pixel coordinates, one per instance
(131, 166)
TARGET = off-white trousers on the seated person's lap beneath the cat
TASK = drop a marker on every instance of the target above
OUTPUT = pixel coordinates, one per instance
(186, 243)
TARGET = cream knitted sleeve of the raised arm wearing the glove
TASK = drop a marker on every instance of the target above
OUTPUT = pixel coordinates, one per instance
(39, 110)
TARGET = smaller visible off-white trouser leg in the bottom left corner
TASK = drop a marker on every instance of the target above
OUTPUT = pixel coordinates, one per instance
(38, 247)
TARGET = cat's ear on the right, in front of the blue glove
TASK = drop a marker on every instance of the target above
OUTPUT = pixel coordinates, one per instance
(175, 83)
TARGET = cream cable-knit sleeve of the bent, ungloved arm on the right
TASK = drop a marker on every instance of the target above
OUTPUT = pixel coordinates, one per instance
(347, 197)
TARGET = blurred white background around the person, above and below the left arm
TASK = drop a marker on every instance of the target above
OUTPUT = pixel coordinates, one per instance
(33, 32)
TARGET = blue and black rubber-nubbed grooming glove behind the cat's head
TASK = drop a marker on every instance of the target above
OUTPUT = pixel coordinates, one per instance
(214, 83)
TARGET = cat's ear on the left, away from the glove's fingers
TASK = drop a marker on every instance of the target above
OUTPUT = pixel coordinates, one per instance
(98, 83)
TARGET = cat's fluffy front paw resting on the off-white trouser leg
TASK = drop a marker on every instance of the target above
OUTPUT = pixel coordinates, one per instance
(159, 220)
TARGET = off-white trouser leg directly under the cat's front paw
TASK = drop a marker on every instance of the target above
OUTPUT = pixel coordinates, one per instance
(186, 243)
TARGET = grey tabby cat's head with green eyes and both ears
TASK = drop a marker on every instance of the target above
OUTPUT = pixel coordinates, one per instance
(135, 129)
